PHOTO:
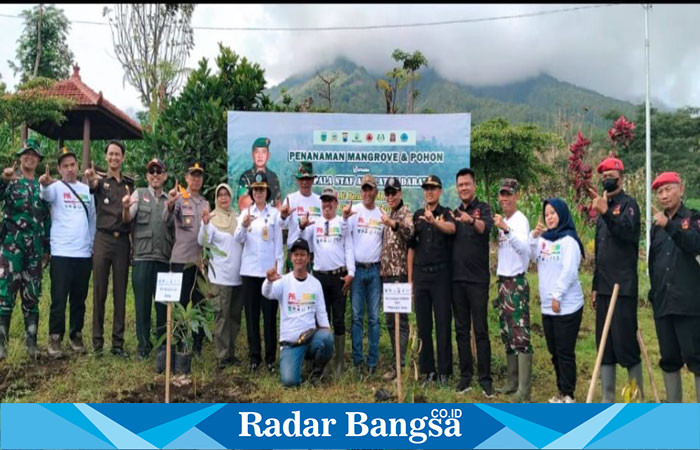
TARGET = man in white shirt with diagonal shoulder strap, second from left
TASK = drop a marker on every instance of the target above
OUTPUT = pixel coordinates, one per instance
(72, 236)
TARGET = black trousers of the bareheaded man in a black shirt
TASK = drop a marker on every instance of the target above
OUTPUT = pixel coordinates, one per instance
(470, 303)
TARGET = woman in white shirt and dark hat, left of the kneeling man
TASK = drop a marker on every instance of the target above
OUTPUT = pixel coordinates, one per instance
(260, 231)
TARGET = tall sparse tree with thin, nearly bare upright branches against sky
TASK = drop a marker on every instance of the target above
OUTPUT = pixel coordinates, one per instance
(152, 43)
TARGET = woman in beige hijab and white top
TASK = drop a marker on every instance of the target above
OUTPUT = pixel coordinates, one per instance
(224, 274)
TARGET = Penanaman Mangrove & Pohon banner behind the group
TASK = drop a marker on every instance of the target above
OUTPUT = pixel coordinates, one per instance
(344, 147)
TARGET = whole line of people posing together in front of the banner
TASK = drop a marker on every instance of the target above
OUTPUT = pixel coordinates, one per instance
(105, 223)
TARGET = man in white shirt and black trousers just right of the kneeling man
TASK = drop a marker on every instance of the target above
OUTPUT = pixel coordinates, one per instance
(334, 264)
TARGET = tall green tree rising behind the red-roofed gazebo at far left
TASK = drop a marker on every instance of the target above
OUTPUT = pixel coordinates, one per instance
(42, 49)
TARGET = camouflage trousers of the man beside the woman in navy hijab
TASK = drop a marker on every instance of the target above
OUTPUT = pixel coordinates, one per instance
(513, 305)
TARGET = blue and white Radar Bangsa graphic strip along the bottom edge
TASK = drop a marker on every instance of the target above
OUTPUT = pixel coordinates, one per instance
(348, 425)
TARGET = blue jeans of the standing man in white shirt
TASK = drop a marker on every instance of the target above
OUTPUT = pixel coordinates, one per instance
(366, 288)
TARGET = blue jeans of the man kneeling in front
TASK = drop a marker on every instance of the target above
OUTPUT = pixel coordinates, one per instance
(319, 350)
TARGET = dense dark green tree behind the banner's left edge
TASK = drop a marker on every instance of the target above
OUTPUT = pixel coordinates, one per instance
(193, 125)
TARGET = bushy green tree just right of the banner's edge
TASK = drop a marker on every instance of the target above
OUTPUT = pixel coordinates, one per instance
(499, 150)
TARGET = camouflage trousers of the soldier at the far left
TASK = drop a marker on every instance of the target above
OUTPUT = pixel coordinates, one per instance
(20, 270)
